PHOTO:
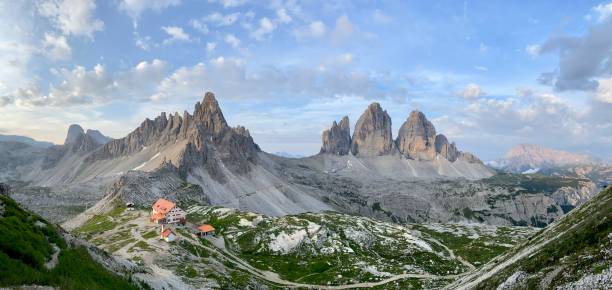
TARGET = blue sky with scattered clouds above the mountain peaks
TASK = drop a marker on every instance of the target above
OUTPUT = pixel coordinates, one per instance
(488, 74)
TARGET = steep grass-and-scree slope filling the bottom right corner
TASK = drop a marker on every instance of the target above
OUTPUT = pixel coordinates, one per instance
(572, 253)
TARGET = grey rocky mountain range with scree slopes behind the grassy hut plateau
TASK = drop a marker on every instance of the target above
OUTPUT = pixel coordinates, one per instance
(417, 176)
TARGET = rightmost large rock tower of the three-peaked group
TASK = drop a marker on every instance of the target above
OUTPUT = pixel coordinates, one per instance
(416, 138)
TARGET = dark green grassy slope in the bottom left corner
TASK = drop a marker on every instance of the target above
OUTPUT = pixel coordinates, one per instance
(34, 252)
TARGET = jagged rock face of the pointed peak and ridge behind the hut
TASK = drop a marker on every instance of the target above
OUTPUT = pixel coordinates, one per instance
(208, 140)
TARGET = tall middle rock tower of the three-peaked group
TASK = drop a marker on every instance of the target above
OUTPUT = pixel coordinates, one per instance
(372, 136)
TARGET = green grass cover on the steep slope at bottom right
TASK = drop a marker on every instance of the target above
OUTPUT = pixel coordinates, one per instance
(577, 245)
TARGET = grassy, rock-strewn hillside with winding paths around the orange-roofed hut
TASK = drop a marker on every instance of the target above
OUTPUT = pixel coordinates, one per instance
(310, 250)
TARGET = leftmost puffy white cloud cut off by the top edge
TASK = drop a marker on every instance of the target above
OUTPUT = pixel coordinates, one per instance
(72, 17)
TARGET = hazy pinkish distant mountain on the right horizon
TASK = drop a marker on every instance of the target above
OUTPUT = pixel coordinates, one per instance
(532, 158)
